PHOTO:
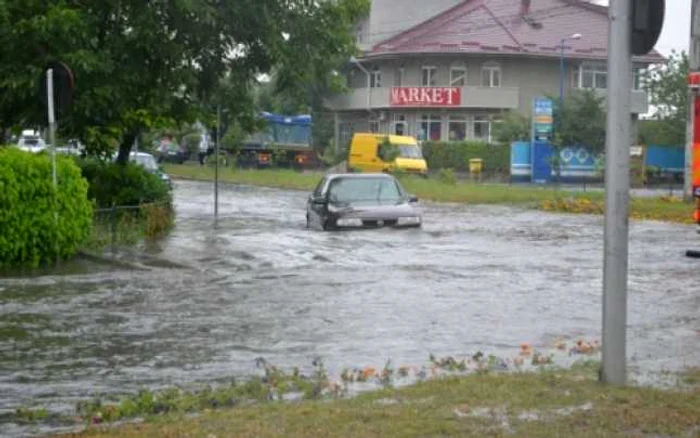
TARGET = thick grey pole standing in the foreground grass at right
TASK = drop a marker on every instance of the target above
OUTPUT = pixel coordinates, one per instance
(617, 184)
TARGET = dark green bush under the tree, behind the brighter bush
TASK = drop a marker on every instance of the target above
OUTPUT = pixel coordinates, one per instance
(122, 185)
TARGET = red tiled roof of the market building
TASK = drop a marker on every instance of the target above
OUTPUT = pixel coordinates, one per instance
(478, 26)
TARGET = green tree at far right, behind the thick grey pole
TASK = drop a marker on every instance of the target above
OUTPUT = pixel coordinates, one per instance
(667, 86)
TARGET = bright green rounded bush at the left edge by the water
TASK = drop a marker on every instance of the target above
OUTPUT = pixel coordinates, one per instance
(39, 224)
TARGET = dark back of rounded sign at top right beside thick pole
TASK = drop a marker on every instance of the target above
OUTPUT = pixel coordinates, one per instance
(647, 22)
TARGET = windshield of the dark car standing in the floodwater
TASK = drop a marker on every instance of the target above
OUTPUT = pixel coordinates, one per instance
(348, 190)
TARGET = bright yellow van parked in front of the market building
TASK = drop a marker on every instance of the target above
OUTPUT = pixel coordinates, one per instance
(374, 153)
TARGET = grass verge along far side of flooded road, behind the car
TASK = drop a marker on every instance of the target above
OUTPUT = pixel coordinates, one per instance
(667, 209)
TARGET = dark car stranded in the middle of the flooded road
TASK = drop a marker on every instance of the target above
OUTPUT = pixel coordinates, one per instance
(351, 200)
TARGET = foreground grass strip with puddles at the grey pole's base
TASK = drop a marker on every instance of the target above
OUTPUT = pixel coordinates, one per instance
(536, 404)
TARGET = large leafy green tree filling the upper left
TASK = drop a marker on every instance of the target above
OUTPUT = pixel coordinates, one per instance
(144, 65)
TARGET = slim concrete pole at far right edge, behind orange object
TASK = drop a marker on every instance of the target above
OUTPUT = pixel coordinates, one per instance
(694, 60)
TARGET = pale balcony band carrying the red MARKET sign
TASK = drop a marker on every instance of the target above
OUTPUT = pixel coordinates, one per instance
(468, 97)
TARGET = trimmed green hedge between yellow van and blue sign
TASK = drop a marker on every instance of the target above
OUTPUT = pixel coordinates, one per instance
(456, 155)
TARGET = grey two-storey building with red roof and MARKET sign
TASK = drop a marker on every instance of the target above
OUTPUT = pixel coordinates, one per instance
(451, 76)
